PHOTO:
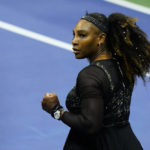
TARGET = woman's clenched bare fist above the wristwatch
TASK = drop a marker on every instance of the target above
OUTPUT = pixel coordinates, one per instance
(49, 101)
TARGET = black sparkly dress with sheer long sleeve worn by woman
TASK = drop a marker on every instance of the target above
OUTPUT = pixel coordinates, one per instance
(99, 108)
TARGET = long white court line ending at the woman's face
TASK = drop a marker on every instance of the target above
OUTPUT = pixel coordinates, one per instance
(35, 36)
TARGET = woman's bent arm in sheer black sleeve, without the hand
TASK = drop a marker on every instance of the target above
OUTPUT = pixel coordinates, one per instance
(92, 104)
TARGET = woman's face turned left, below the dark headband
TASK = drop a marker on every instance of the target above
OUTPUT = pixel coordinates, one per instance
(85, 39)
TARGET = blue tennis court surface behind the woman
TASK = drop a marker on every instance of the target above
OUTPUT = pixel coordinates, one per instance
(30, 68)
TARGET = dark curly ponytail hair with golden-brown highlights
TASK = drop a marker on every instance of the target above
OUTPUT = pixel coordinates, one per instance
(128, 44)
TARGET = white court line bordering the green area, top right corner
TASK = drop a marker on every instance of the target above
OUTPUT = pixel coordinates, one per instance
(131, 5)
